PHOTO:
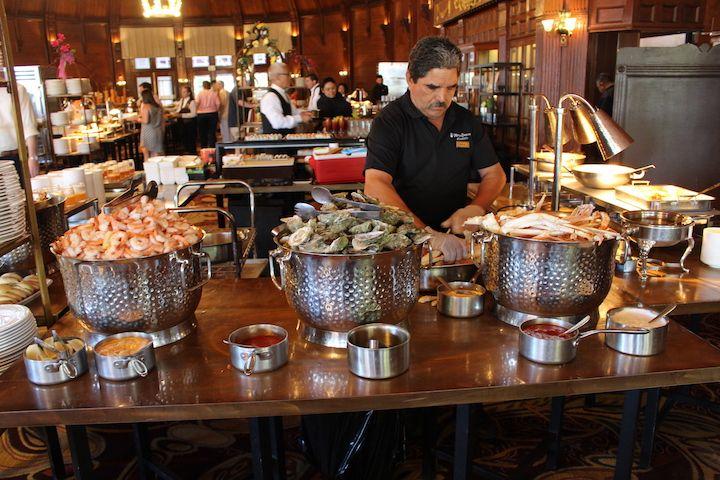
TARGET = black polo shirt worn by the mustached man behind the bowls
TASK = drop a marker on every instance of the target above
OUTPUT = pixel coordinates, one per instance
(430, 169)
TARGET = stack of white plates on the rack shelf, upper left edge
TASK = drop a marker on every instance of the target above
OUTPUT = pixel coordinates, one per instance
(12, 203)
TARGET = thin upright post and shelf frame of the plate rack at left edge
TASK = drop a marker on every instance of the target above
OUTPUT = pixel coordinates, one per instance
(44, 315)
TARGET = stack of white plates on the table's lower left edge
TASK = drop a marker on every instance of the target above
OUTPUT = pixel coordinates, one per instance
(17, 329)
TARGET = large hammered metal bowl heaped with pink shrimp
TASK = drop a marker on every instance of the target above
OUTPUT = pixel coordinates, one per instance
(136, 269)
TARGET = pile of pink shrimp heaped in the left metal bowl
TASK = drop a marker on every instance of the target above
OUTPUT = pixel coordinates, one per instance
(141, 230)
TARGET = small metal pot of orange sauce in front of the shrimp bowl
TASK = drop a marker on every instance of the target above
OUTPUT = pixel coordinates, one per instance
(126, 367)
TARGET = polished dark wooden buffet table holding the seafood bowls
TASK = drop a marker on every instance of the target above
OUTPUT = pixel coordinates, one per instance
(453, 362)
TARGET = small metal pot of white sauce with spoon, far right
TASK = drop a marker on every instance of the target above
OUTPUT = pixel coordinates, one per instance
(642, 345)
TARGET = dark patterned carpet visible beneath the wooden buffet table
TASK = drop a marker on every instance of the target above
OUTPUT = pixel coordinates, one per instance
(687, 446)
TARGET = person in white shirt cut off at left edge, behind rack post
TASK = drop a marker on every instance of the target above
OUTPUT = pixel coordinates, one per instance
(8, 133)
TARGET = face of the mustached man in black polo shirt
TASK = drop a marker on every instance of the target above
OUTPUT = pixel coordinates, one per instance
(433, 93)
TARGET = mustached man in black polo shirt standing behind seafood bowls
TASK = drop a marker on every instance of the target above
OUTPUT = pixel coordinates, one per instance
(424, 149)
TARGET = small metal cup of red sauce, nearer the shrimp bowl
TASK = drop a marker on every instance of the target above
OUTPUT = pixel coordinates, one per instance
(250, 359)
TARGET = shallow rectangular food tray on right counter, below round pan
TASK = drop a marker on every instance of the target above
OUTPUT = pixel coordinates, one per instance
(672, 198)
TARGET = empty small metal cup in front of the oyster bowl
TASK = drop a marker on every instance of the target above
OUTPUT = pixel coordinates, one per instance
(378, 350)
